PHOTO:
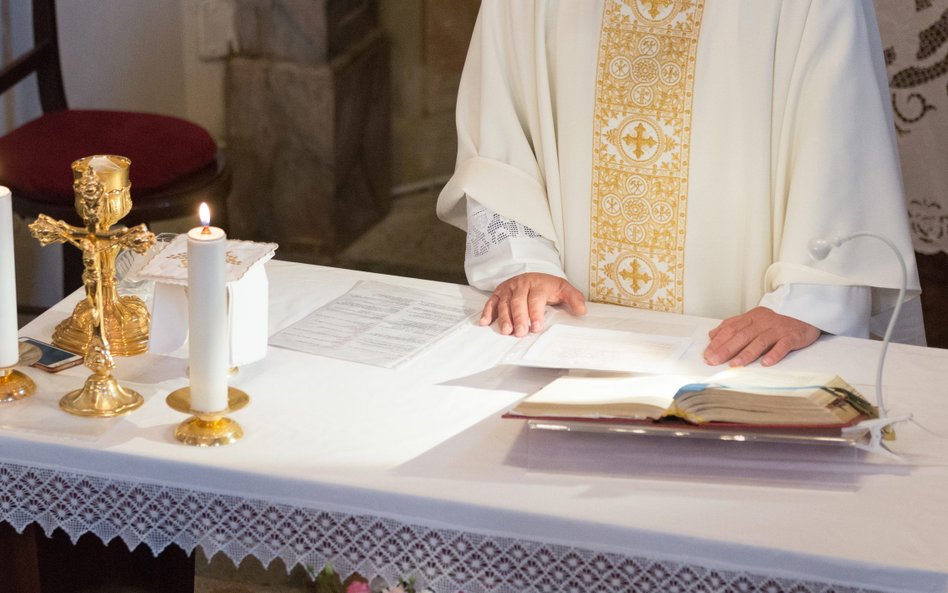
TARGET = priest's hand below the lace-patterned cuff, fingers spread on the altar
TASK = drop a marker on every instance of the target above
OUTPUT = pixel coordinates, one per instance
(517, 304)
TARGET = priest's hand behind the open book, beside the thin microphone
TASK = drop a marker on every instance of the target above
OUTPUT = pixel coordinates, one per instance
(759, 333)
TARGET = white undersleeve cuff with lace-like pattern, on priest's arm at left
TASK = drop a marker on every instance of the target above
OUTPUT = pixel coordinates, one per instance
(499, 248)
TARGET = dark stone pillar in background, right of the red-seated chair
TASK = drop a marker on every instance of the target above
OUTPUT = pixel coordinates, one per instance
(308, 124)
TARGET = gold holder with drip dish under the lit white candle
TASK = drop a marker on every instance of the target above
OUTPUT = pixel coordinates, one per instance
(207, 429)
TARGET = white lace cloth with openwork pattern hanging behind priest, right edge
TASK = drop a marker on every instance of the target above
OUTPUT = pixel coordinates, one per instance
(915, 41)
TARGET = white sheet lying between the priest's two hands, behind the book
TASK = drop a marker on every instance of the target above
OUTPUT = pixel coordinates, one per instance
(575, 347)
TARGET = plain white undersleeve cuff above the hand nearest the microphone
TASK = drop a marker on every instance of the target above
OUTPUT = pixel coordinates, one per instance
(834, 309)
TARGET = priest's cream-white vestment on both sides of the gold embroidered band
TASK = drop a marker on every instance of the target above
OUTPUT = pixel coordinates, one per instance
(790, 139)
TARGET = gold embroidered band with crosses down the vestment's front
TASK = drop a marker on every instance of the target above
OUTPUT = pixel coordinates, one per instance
(641, 138)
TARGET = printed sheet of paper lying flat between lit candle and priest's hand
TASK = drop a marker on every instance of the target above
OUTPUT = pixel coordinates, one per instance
(376, 323)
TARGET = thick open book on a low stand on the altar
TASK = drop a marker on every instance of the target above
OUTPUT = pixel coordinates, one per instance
(754, 397)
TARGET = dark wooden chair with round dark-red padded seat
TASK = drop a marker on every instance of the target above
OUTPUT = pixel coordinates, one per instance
(175, 164)
